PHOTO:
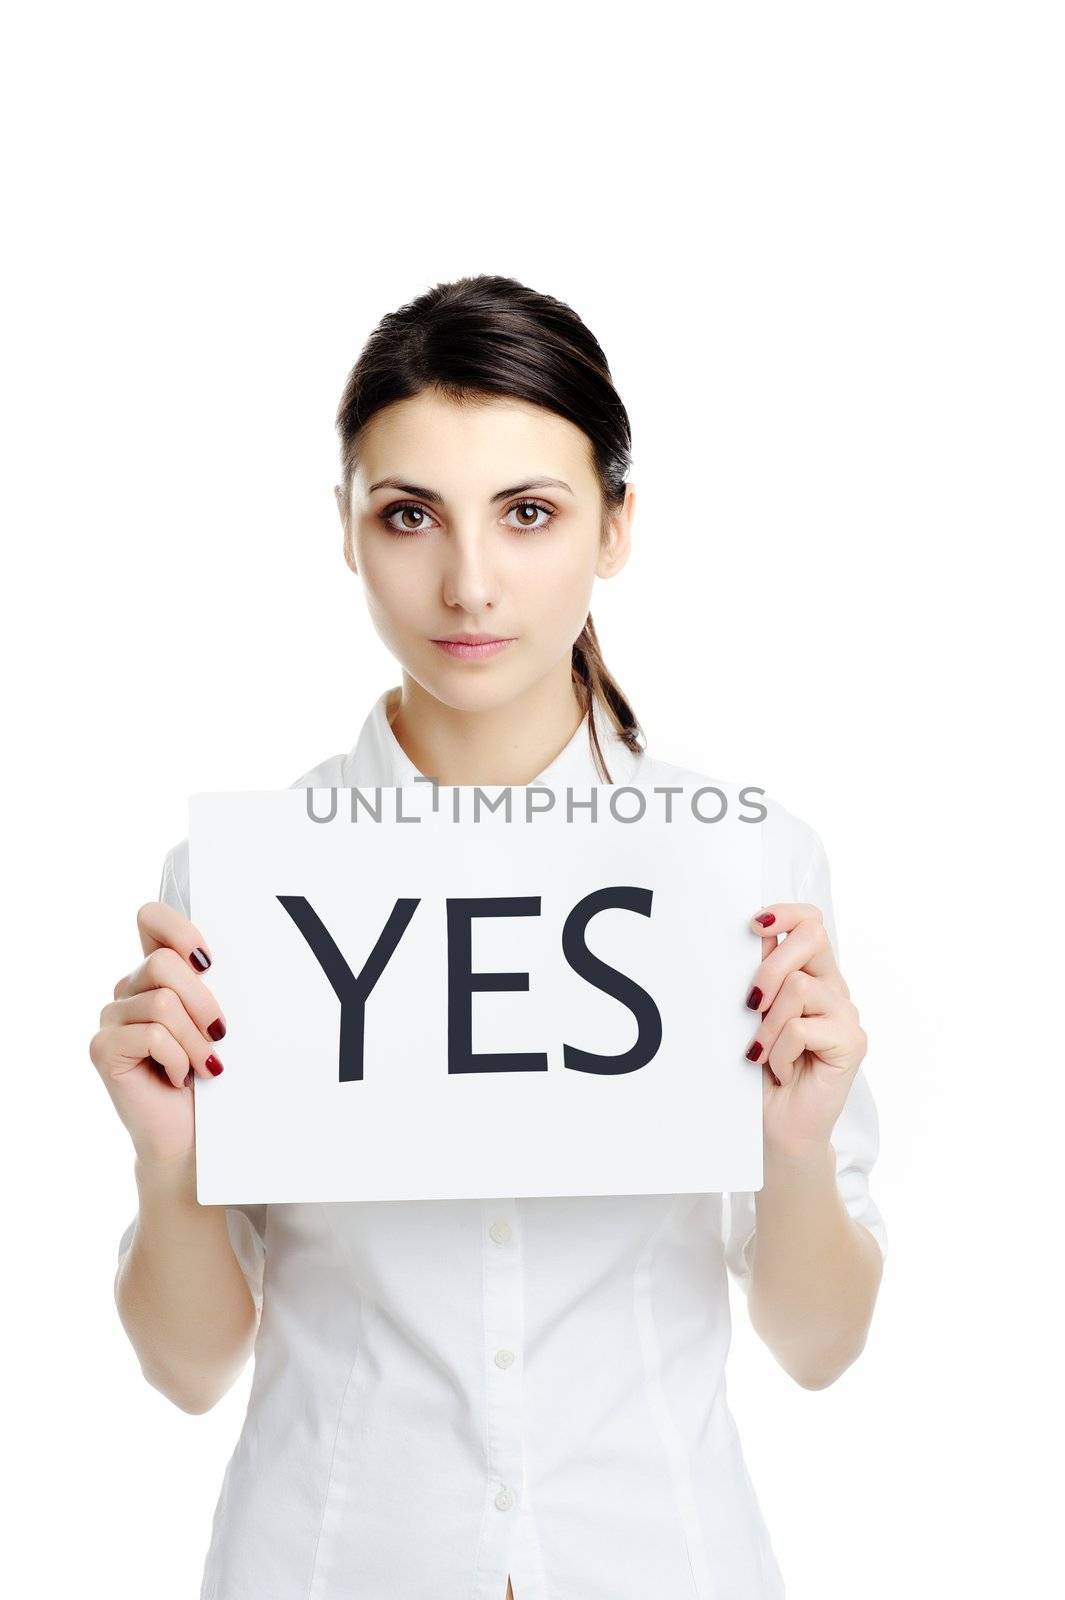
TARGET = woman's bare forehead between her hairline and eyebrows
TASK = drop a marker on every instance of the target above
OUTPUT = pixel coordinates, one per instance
(473, 446)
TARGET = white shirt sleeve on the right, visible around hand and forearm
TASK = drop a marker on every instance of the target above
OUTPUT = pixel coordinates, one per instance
(856, 1135)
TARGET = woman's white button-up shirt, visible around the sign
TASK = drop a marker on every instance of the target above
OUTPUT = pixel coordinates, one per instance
(447, 1393)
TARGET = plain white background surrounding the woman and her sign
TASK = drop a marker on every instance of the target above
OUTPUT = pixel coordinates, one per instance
(823, 250)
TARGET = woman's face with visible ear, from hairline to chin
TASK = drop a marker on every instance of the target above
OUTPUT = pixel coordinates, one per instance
(490, 524)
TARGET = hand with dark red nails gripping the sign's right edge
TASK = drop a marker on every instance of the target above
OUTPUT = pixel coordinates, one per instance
(810, 1039)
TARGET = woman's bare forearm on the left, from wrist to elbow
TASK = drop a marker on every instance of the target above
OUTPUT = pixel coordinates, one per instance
(181, 1294)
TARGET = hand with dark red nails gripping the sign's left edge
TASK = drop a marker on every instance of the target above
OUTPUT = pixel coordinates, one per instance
(158, 1031)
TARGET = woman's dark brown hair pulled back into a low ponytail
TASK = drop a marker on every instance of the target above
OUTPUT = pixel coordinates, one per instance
(495, 337)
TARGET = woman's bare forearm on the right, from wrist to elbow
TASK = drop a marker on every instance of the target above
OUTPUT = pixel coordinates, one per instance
(816, 1271)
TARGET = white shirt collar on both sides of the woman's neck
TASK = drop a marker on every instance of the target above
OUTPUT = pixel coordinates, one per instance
(378, 758)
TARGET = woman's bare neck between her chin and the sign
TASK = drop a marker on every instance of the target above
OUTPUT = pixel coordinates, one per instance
(501, 745)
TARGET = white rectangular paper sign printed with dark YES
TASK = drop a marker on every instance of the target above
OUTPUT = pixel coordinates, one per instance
(429, 999)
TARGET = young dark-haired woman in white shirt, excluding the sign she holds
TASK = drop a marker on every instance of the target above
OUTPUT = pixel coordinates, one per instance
(516, 1399)
